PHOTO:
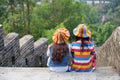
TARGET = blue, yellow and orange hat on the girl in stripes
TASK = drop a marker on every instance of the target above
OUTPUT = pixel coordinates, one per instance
(82, 31)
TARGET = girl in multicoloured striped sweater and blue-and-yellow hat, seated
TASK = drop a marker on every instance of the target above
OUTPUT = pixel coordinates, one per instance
(83, 52)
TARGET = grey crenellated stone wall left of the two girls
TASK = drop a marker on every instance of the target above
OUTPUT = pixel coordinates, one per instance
(22, 52)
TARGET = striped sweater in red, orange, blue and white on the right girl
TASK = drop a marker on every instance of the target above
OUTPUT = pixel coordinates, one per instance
(83, 59)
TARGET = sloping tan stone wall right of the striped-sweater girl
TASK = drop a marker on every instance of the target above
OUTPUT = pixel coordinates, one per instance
(109, 53)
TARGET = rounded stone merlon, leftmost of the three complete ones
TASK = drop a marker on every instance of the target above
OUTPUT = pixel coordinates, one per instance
(11, 49)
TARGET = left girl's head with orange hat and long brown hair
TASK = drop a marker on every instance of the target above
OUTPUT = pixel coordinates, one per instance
(60, 48)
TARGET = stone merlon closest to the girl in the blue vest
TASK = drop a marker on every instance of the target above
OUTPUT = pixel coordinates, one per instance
(40, 47)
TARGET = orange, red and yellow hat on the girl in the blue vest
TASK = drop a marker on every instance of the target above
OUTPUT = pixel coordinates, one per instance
(61, 35)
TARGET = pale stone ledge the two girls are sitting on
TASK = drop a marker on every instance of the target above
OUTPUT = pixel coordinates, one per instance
(102, 73)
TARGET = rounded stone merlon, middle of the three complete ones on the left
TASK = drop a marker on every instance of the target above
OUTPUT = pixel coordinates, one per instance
(26, 49)
